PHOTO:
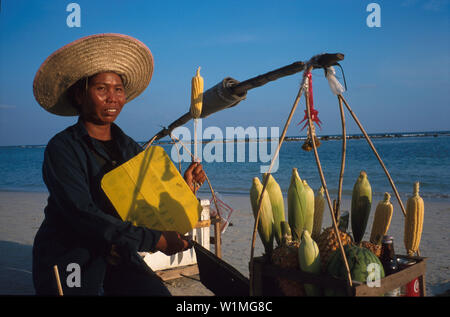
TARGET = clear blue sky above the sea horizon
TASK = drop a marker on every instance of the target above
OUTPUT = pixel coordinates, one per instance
(398, 75)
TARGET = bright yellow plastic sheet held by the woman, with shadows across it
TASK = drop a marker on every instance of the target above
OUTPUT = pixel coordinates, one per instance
(149, 191)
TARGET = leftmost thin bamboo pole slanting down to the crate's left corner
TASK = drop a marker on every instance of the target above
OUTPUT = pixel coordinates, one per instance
(283, 134)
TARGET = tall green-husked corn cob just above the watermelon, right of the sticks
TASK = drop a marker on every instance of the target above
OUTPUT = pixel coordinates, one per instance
(360, 207)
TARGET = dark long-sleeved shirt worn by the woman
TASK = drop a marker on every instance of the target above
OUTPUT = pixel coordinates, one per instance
(80, 223)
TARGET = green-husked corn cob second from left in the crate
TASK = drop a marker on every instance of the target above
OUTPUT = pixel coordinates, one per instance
(277, 202)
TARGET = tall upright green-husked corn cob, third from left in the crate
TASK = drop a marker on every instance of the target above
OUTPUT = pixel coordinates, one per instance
(296, 205)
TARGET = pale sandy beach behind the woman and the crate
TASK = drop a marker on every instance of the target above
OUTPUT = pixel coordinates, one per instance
(21, 214)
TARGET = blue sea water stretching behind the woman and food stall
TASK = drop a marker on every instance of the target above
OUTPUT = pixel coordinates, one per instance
(409, 157)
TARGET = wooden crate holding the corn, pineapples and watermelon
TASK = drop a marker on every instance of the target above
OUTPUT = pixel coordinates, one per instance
(265, 283)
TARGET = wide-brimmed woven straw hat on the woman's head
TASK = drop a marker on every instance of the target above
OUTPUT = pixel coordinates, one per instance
(90, 55)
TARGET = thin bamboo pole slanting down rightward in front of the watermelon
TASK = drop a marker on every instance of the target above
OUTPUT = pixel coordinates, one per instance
(324, 184)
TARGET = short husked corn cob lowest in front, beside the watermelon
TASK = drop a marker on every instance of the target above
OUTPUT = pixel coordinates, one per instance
(309, 260)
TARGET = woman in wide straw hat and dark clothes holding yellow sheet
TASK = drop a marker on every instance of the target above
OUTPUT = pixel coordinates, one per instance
(93, 78)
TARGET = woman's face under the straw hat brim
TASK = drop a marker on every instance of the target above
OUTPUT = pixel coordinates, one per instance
(104, 99)
